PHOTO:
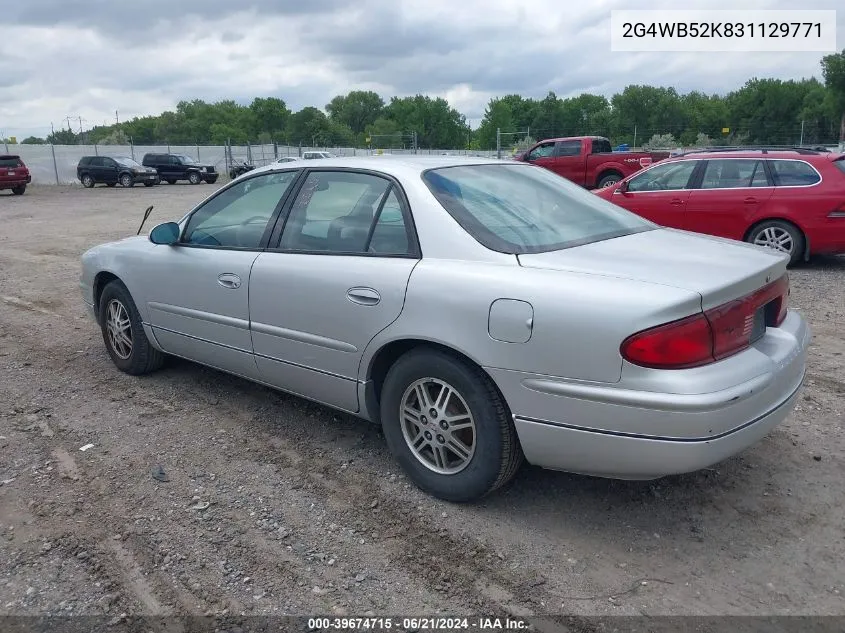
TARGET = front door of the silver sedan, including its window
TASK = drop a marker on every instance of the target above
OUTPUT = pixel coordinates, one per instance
(198, 294)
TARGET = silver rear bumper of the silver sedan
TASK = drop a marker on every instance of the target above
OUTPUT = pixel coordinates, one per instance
(608, 431)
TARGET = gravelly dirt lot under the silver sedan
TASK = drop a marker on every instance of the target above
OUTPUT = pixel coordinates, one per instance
(308, 513)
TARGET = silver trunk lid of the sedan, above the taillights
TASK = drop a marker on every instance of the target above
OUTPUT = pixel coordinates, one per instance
(719, 269)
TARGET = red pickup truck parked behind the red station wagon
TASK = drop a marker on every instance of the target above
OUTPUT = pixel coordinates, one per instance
(588, 160)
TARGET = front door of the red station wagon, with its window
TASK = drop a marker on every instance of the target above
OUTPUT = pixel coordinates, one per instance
(658, 194)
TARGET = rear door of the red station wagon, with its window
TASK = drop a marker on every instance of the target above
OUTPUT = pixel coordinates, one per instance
(730, 195)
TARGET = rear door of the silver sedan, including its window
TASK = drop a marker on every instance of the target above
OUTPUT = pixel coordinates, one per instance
(336, 278)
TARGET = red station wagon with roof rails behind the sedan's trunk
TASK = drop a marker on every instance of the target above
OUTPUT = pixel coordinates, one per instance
(789, 200)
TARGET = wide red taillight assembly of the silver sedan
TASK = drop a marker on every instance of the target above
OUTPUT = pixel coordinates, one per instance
(710, 336)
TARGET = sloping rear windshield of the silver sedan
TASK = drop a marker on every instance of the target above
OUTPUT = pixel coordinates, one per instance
(527, 209)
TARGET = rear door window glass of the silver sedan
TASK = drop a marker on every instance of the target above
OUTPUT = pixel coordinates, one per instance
(334, 212)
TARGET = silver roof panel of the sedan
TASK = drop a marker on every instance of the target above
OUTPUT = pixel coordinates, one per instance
(393, 164)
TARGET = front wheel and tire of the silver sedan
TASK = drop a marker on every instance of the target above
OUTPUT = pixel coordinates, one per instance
(124, 336)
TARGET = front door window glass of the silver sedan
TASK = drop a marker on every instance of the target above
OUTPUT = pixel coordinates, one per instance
(238, 216)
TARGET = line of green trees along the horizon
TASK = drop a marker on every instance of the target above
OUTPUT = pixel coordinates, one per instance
(770, 111)
